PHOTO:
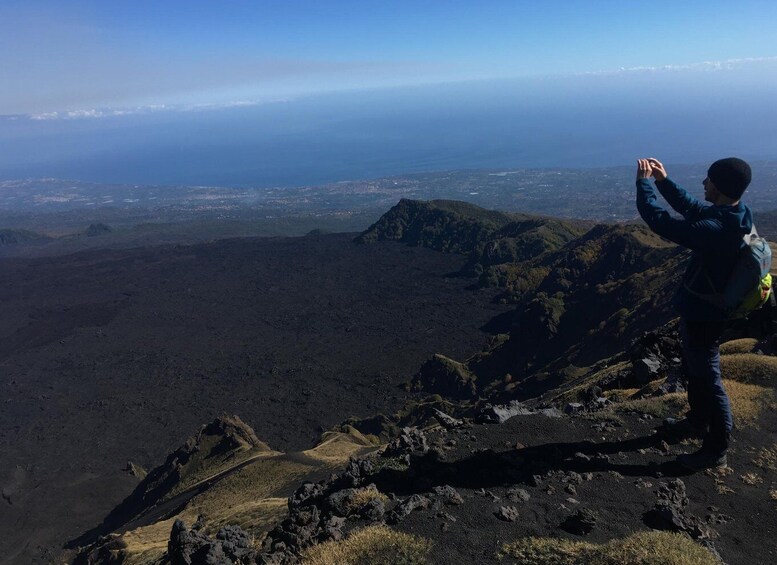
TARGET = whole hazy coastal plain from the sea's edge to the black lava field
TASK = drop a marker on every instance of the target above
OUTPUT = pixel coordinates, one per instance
(55, 214)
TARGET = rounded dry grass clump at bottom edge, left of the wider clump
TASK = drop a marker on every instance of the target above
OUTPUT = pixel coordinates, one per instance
(376, 545)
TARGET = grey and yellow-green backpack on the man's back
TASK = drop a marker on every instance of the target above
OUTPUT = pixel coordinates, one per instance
(750, 283)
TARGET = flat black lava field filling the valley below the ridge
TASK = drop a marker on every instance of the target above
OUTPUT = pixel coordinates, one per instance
(109, 356)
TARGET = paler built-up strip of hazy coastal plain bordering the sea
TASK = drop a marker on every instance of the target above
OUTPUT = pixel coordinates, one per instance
(596, 194)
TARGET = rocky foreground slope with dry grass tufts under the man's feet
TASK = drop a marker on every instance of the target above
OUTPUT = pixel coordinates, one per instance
(562, 483)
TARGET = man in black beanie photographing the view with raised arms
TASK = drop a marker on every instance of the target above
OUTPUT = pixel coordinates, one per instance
(714, 234)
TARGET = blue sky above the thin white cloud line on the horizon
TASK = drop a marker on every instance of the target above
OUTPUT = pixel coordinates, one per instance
(76, 56)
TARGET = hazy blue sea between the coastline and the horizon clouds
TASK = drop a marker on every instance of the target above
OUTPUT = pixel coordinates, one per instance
(562, 122)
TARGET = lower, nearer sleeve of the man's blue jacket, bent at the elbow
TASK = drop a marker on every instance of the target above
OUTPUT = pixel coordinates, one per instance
(693, 235)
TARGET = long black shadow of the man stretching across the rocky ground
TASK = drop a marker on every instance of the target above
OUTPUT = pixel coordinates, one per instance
(487, 469)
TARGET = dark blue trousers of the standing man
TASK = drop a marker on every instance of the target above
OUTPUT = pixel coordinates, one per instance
(710, 407)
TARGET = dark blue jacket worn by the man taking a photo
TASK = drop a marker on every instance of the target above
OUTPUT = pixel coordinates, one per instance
(712, 233)
